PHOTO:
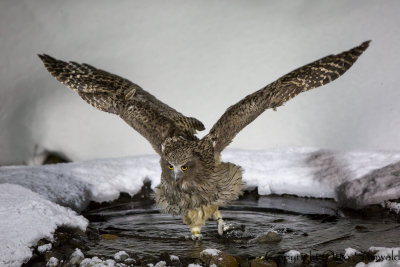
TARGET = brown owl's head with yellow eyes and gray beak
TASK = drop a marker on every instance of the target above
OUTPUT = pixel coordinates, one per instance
(181, 161)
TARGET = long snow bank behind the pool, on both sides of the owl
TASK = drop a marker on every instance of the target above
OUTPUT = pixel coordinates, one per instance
(355, 179)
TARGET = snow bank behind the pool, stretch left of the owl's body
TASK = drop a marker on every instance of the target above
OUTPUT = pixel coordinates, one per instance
(76, 184)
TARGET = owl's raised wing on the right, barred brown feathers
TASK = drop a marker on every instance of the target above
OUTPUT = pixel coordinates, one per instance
(277, 93)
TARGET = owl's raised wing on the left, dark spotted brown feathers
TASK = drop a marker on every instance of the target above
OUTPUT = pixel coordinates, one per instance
(108, 92)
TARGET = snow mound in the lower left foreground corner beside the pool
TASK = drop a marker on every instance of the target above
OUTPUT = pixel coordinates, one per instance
(25, 217)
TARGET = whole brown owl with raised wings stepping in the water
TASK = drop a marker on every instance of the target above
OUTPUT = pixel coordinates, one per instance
(195, 182)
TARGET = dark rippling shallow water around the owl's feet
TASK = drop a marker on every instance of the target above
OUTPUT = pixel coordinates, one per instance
(307, 225)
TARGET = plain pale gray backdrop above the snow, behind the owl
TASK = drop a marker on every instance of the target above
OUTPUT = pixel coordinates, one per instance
(199, 57)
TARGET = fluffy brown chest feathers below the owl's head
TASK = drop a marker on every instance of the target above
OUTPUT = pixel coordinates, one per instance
(221, 186)
